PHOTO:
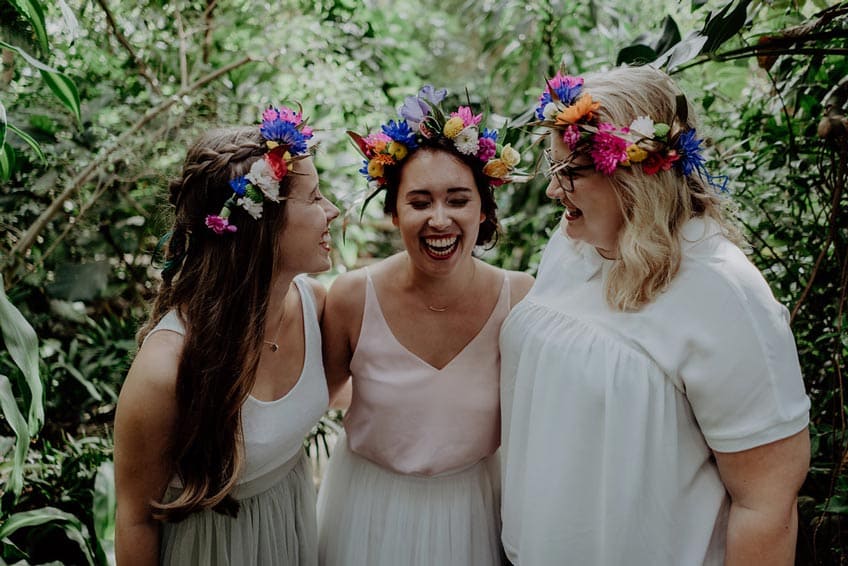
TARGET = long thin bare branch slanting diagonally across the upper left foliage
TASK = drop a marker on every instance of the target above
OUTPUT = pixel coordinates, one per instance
(28, 238)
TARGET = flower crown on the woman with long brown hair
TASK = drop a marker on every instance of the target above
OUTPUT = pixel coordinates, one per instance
(285, 133)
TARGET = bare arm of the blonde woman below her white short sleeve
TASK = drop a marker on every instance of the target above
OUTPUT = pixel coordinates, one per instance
(763, 484)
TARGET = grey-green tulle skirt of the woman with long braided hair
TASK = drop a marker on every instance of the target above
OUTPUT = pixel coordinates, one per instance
(275, 525)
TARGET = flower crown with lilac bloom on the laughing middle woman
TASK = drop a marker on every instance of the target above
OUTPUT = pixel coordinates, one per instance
(422, 118)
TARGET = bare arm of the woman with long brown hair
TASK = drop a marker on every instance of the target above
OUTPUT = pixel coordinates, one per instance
(144, 423)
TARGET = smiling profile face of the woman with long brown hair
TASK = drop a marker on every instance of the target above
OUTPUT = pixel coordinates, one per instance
(305, 239)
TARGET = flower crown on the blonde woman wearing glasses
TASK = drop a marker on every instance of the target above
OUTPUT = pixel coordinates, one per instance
(655, 146)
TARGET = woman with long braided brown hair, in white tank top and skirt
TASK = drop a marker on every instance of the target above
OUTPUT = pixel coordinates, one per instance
(209, 465)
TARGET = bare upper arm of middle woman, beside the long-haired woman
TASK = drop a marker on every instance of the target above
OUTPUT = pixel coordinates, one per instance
(342, 318)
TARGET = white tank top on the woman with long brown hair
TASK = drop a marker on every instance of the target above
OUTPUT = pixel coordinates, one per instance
(274, 430)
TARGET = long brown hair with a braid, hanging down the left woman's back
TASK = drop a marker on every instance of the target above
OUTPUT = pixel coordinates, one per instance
(219, 284)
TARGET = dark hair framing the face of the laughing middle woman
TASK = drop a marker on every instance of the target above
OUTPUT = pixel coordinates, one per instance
(489, 227)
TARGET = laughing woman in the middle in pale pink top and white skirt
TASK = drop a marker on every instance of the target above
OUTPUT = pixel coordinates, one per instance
(414, 480)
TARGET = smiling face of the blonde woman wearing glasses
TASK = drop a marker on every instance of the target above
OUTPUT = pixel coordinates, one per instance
(593, 213)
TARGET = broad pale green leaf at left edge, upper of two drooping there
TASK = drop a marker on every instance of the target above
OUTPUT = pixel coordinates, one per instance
(22, 344)
